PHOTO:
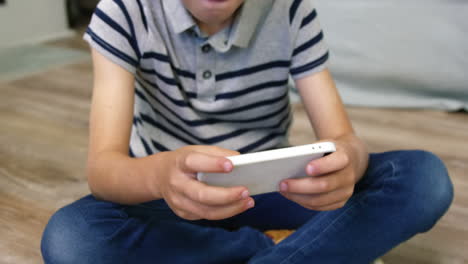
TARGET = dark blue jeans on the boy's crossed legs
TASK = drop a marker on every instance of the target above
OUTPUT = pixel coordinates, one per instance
(401, 194)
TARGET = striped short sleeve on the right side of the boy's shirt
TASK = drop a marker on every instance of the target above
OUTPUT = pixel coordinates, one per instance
(310, 54)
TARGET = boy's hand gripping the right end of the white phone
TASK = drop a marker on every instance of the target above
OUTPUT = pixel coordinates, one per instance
(329, 183)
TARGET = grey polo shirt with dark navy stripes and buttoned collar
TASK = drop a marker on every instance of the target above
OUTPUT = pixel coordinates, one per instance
(229, 89)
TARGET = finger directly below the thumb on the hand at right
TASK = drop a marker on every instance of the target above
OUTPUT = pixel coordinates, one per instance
(317, 185)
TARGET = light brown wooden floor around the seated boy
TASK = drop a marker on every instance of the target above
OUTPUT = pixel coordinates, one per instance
(43, 144)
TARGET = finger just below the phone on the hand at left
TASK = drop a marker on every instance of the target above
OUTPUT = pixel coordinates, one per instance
(213, 195)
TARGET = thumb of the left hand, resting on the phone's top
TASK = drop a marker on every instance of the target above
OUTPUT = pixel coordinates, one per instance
(192, 162)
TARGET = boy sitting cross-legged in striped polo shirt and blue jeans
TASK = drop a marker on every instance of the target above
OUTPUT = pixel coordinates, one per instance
(189, 82)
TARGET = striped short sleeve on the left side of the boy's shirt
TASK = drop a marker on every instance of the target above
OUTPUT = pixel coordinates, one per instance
(116, 31)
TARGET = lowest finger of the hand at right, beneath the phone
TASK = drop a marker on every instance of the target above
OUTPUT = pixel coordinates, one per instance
(321, 200)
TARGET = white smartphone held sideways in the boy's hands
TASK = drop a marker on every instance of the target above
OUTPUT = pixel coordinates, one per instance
(261, 172)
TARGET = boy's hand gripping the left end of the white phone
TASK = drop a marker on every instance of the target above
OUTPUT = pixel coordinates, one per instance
(191, 199)
